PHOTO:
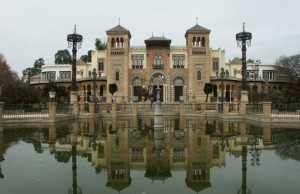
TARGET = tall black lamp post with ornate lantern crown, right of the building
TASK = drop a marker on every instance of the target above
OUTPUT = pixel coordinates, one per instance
(243, 39)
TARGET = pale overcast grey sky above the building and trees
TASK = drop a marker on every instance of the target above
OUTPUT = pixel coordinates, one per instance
(32, 29)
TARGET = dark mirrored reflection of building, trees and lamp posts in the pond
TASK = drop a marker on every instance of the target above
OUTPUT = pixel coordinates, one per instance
(190, 145)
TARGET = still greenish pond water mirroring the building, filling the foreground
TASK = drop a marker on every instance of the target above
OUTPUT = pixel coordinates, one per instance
(130, 156)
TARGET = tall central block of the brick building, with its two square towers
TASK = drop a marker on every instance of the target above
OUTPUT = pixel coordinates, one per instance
(178, 71)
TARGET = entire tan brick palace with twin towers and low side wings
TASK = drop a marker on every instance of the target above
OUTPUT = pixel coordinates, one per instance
(179, 71)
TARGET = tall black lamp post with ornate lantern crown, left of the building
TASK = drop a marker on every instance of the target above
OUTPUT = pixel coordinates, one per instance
(74, 41)
